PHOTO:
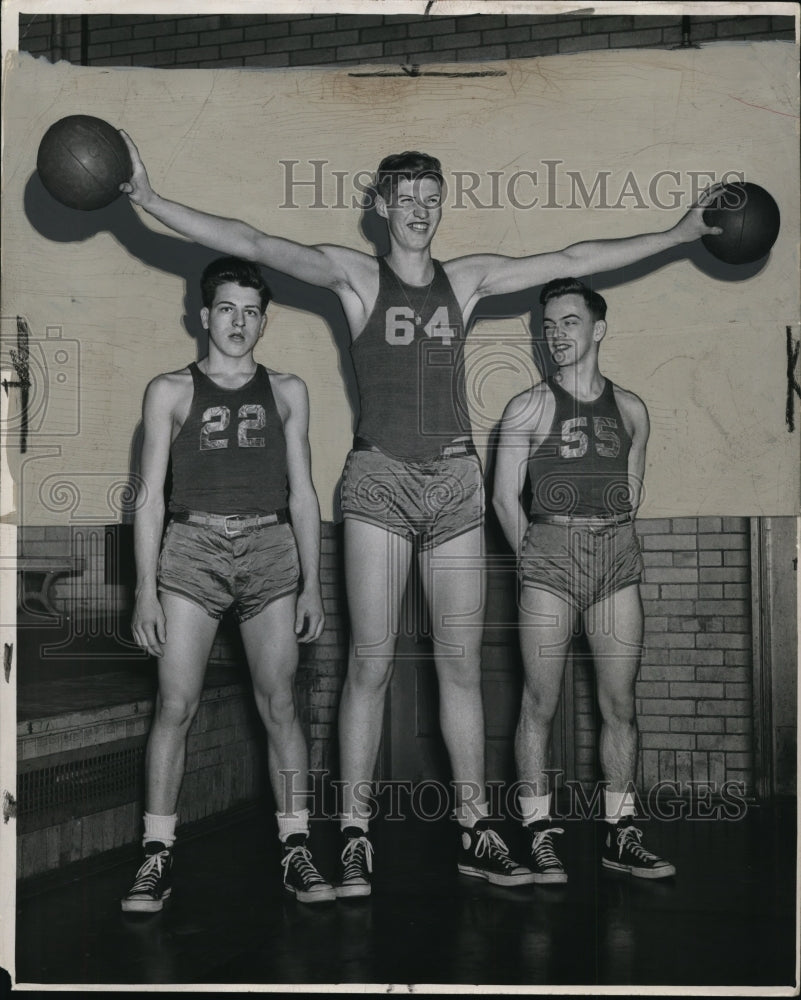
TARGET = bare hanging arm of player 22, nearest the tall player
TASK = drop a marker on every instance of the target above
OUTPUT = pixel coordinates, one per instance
(293, 401)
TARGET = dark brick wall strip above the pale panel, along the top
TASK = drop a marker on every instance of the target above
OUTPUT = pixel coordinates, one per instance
(230, 40)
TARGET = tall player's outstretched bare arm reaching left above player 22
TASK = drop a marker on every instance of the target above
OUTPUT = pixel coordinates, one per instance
(319, 265)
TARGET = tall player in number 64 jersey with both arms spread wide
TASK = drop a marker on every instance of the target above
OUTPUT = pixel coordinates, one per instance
(412, 487)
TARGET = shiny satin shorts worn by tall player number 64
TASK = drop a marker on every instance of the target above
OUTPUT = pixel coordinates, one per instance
(425, 502)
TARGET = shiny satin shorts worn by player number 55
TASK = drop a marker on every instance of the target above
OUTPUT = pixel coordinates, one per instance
(579, 563)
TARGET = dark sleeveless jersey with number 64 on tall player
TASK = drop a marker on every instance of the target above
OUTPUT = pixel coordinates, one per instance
(409, 363)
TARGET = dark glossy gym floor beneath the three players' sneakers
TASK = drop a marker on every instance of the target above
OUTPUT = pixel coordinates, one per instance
(728, 918)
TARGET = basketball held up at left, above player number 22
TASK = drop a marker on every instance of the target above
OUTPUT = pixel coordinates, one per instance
(82, 161)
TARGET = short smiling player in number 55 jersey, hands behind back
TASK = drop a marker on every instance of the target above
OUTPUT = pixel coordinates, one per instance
(580, 440)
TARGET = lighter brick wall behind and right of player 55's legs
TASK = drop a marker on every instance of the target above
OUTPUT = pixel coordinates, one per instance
(694, 696)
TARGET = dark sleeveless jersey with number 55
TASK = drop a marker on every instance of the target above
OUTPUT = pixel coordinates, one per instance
(582, 465)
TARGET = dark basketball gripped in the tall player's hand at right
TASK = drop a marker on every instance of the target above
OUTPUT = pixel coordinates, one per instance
(749, 218)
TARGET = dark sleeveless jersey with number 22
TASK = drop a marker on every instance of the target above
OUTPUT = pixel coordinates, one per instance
(230, 455)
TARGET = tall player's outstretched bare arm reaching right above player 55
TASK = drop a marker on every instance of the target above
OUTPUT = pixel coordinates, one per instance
(497, 275)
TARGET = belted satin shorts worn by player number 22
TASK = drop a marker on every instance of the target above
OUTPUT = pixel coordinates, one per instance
(216, 571)
